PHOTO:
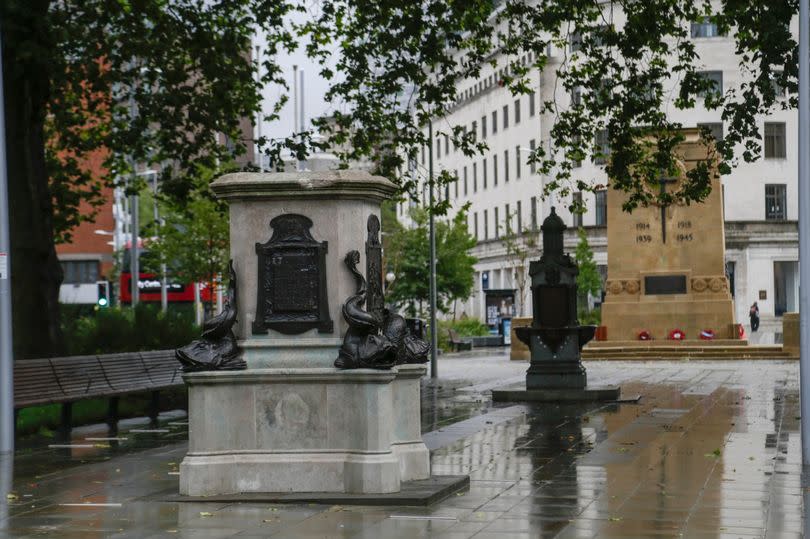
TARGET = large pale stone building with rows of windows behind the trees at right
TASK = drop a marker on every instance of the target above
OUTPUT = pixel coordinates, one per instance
(759, 199)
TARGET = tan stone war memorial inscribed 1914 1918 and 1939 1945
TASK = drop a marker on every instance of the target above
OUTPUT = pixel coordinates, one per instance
(666, 267)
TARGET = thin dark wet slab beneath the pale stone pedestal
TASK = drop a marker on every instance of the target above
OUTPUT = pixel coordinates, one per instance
(421, 492)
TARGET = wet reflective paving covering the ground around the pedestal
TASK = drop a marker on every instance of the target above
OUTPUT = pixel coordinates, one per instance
(712, 449)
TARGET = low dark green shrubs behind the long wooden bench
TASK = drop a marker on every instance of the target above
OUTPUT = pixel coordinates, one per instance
(128, 330)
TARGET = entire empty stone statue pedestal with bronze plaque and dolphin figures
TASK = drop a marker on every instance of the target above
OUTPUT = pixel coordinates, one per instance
(306, 384)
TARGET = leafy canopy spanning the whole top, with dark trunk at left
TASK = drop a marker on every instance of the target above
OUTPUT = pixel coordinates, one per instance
(165, 84)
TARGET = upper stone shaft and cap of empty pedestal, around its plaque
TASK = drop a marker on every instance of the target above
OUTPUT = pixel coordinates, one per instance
(338, 203)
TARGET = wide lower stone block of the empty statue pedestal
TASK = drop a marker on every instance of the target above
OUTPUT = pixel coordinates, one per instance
(303, 430)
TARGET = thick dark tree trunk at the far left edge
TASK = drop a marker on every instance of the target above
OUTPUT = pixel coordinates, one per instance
(35, 270)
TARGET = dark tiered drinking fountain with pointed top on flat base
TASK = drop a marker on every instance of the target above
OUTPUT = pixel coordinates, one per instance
(555, 336)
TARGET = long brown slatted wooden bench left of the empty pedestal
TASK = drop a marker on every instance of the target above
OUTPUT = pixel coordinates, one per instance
(65, 380)
